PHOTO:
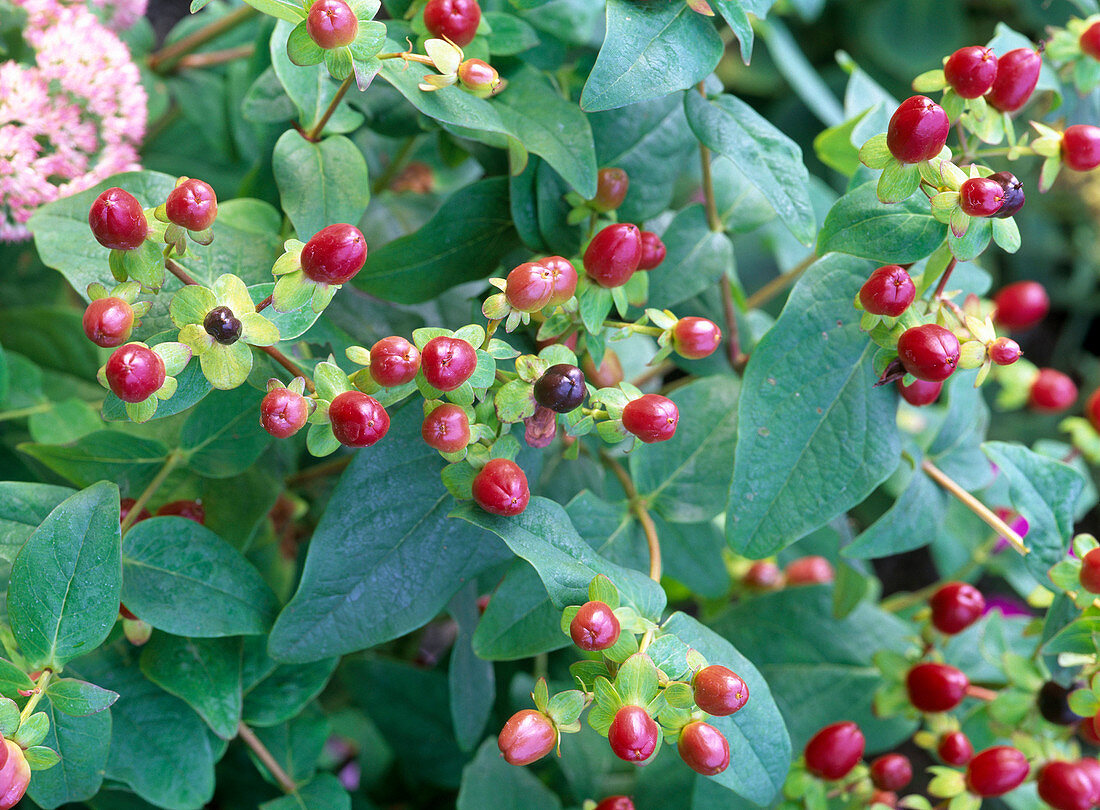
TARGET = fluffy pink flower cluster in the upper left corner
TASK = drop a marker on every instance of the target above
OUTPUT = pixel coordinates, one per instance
(73, 119)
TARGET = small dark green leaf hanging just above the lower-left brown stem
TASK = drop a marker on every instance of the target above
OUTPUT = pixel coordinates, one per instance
(205, 673)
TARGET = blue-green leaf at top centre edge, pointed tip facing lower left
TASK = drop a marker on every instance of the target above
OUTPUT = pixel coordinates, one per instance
(651, 51)
